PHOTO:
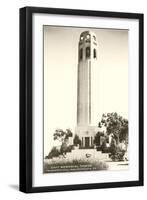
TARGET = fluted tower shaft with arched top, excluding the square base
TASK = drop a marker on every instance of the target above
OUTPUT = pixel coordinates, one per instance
(86, 62)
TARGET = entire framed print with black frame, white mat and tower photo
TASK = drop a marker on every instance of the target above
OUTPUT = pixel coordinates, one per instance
(81, 99)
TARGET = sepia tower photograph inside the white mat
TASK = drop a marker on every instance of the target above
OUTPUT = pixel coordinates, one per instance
(85, 99)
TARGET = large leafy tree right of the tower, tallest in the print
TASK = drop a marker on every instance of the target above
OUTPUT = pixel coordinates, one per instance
(115, 124)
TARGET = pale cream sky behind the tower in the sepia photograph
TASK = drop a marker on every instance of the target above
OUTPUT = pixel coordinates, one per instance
(60, 77)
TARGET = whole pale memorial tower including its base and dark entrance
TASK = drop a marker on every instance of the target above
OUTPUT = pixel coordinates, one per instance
(87, 62)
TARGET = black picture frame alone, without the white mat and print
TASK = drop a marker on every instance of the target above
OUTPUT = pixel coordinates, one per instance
(26, 97)
